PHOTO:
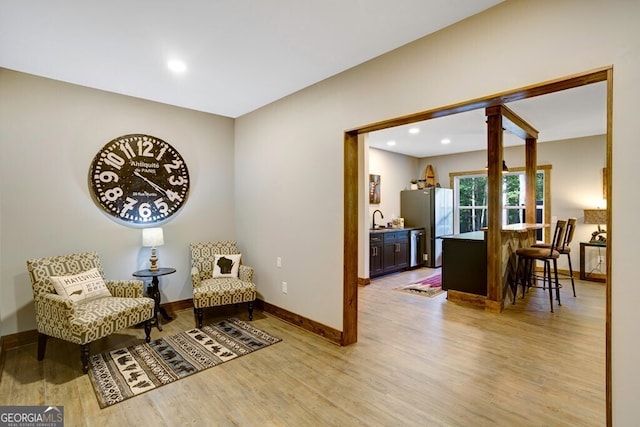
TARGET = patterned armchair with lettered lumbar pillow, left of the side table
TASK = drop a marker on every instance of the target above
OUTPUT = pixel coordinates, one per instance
(82, 321)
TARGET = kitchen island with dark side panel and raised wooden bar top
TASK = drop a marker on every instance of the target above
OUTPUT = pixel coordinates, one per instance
(464, 275)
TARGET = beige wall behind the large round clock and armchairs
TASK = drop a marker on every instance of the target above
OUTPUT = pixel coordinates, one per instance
(49, 133)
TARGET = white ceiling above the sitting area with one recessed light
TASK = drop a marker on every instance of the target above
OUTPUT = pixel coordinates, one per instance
(239, 54)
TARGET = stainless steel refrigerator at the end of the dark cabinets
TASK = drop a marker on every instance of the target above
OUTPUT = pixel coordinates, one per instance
(431, 209)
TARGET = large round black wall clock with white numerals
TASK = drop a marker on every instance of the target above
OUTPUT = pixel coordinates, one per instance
(139, 179)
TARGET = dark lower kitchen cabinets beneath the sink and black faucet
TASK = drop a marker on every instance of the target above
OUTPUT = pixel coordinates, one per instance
(389, 252)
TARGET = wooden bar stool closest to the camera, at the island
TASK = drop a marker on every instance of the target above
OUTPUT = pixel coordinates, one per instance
(527, 258)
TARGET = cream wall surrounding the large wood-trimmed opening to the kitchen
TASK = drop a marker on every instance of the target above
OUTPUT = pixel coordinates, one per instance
(294, 147)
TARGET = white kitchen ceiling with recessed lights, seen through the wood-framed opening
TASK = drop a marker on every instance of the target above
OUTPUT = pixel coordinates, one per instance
(571, 113)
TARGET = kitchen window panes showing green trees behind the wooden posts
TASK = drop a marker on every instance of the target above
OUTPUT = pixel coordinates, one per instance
(470, 204)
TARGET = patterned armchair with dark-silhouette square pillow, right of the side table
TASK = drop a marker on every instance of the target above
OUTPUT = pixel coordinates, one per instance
(208, 261)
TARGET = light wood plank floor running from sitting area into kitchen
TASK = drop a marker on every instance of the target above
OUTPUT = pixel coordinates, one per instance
(418, 362)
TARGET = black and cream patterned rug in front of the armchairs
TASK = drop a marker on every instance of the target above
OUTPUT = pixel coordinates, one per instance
(120, 374)
